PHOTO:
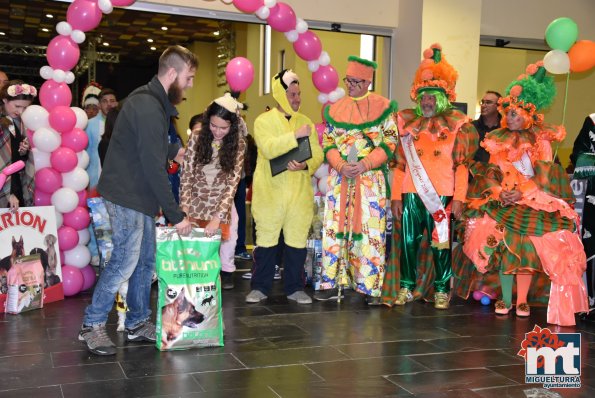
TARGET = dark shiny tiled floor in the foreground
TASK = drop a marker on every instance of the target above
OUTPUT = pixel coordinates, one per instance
(281, 349)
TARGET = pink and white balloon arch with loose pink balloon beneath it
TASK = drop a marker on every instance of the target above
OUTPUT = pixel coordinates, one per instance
(57, 130)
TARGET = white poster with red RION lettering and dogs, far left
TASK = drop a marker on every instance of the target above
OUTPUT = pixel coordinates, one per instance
(31, 230)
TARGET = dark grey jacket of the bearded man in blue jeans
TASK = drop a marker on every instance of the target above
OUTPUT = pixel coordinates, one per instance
(134, 172)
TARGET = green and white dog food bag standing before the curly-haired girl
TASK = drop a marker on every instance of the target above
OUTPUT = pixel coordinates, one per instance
(189, 303)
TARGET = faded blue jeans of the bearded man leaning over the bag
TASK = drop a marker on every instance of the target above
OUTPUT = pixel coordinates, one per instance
(132, 259)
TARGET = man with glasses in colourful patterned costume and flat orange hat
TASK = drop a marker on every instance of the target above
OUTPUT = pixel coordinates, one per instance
(359, 140)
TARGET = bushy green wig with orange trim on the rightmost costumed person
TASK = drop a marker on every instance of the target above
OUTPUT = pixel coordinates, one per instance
(531, 92)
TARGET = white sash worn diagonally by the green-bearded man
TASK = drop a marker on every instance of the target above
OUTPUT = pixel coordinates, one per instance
(425, 189)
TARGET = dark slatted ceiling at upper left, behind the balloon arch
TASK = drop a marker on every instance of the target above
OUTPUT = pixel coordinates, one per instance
(125, 30)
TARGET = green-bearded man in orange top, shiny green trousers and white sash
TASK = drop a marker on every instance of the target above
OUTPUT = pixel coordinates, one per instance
(430, 181)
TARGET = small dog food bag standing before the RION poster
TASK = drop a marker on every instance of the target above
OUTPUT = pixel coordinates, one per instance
(25, 285)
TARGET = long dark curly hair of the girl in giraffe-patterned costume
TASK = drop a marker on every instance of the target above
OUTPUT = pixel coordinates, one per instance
(230, 145)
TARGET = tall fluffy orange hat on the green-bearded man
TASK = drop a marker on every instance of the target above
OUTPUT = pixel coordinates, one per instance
(435, 73)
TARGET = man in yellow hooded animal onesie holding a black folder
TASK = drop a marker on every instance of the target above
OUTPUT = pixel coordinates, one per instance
(284, 202)
